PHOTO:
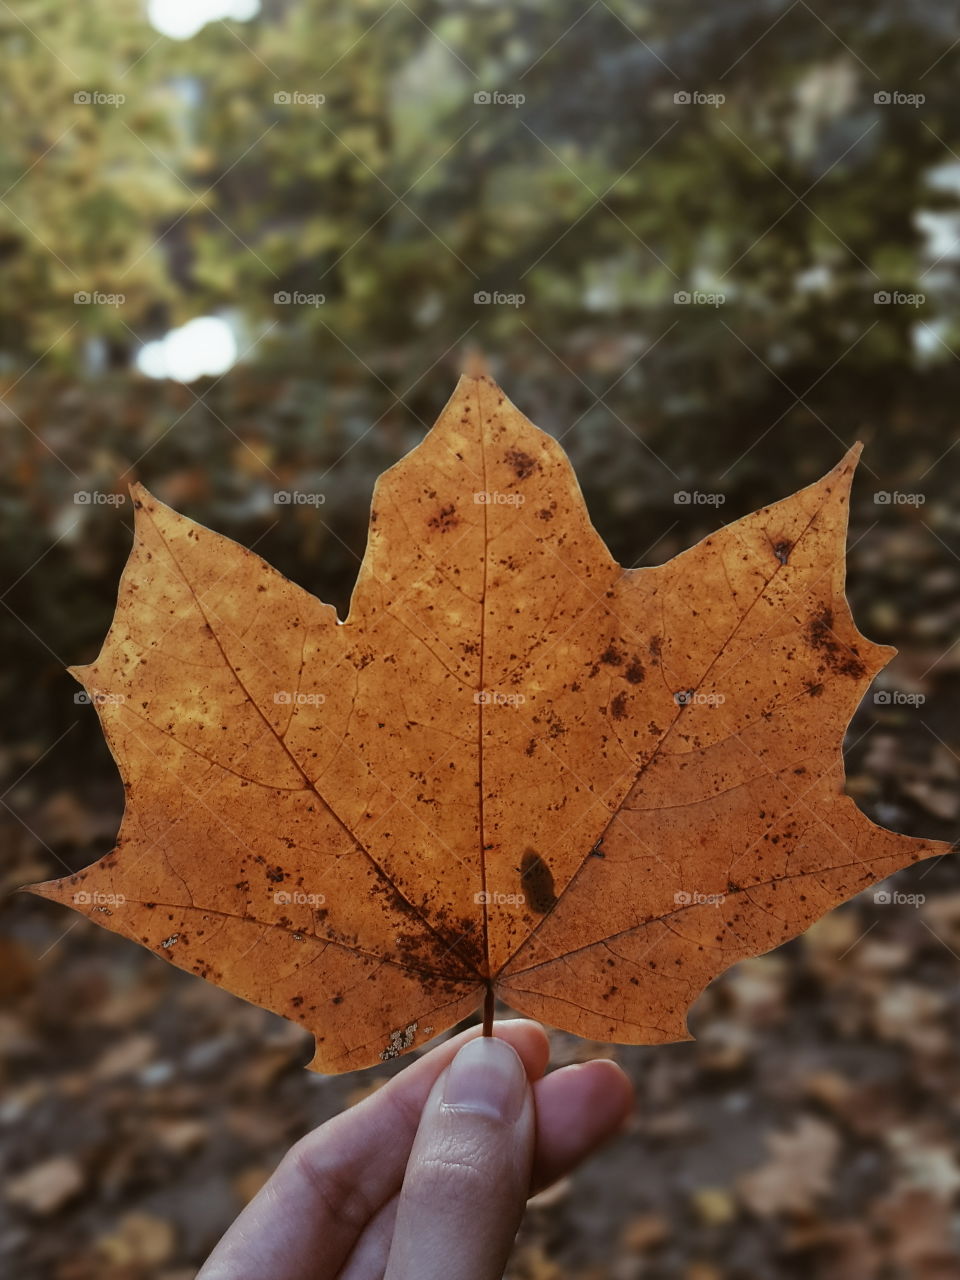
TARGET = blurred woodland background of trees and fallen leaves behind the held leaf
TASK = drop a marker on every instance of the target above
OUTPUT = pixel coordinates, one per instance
(245, 249)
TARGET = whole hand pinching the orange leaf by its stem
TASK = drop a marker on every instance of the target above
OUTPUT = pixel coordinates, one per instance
(428, 1178)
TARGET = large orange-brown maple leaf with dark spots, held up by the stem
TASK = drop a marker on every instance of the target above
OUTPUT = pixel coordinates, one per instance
(516, 769)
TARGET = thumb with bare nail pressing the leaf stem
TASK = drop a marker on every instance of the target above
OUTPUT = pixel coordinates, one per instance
(469, 1173)
